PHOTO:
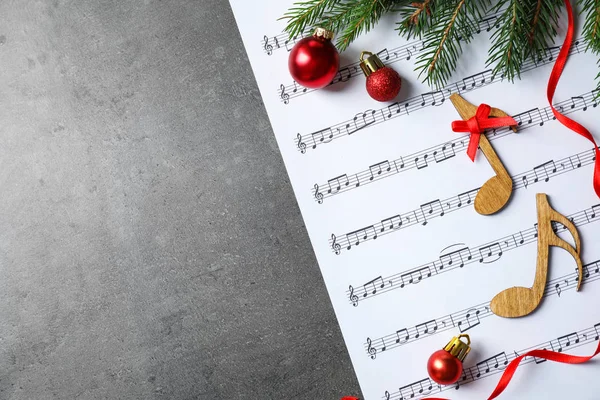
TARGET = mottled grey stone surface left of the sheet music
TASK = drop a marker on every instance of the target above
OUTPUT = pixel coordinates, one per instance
(150, 243)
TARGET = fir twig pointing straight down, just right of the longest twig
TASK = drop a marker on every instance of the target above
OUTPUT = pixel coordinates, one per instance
(509, 41)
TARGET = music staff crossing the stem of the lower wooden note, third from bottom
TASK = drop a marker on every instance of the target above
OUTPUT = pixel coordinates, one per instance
(482, 254)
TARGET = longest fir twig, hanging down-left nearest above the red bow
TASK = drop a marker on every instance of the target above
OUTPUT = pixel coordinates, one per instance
(455, 21)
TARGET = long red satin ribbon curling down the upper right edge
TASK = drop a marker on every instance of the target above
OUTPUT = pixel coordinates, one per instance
(553, 82)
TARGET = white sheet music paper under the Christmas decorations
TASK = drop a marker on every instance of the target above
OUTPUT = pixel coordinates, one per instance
(386, 191)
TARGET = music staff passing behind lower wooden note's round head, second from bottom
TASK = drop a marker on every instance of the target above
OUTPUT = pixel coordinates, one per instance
(472, 317)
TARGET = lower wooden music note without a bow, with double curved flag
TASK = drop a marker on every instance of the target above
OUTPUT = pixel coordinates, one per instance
(520, 301)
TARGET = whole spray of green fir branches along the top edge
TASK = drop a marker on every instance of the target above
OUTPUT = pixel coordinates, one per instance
(523, 30)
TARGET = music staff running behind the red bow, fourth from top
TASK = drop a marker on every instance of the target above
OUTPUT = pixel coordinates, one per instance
(447, 151)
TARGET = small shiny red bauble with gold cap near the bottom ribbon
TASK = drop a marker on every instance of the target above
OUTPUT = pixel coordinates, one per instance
(445, 366)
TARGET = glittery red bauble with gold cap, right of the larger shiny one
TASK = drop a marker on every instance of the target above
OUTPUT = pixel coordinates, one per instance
(383, 83)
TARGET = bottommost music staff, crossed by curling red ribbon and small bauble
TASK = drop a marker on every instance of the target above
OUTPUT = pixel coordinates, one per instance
(494, 365)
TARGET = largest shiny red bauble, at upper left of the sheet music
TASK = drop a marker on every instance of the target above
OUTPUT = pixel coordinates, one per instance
(314, 61)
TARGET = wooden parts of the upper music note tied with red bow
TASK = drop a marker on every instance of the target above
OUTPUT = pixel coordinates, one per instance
(495, 193)
